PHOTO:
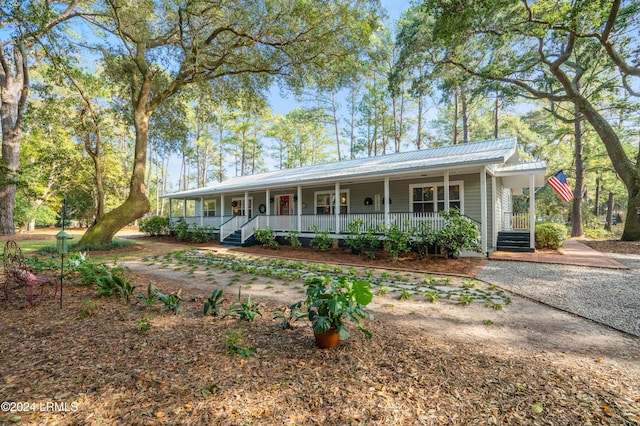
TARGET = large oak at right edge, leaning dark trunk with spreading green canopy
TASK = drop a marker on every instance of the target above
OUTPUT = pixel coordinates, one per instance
(542, 48)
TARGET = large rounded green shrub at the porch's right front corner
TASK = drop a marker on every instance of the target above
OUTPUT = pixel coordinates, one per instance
(458, 234)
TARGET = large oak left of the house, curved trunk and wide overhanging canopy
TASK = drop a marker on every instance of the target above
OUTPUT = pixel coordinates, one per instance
(164, 46)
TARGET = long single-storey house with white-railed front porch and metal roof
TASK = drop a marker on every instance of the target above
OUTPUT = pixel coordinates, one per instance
(405, 189)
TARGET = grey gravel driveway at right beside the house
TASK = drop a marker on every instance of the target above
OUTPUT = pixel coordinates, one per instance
(608, 296)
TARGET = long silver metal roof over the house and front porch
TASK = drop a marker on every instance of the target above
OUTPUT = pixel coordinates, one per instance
(495, 151)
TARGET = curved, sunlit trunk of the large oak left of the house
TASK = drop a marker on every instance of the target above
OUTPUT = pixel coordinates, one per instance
(137, 204)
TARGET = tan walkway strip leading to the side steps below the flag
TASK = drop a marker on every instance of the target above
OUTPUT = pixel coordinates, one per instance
(572, 253)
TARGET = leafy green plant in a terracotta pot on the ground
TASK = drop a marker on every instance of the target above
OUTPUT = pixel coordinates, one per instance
(331, 301)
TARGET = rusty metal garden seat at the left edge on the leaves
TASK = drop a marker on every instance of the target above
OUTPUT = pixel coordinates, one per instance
(16, 271)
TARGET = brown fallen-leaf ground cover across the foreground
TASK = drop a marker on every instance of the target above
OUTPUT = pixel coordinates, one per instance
(179, 372)
